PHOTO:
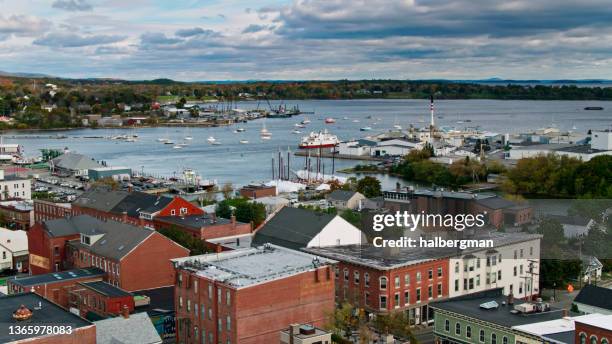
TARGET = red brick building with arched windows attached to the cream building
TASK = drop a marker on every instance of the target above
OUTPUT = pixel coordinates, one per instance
(381, 281)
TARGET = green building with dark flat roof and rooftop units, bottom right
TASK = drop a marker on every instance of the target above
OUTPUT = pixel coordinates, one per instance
(488, 317)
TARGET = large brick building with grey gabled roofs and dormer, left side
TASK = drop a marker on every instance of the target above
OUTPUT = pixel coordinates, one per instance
(134, 258)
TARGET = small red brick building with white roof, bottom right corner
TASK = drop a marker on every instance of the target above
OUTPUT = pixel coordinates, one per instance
(593, 329)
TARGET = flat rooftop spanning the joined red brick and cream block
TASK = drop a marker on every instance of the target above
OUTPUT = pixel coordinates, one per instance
(384, 259)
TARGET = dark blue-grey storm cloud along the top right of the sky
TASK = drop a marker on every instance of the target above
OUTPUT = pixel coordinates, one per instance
(433, 18)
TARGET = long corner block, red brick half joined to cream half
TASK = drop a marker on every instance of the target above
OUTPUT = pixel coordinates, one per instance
(380, 280)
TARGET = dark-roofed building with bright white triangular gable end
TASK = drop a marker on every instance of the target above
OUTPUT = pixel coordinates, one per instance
(297, 228)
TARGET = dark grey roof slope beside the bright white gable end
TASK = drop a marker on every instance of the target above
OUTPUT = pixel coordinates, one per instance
(292, 228)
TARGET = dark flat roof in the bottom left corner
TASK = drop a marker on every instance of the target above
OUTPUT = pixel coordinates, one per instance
(48, 314)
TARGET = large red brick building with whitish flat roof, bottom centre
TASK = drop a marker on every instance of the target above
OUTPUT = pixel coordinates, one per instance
(249, 295)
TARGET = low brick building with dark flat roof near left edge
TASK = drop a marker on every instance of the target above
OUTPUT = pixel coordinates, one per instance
(55, 286)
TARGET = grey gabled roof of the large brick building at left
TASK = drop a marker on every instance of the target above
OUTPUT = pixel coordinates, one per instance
(118, 238)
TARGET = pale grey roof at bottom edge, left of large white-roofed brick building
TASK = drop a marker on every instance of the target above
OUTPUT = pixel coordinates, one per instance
(138, 328)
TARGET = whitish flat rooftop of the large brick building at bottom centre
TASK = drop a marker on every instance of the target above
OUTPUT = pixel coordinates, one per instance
(251, 266)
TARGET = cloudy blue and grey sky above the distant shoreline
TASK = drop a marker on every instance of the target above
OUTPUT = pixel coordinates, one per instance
(196, 40)
